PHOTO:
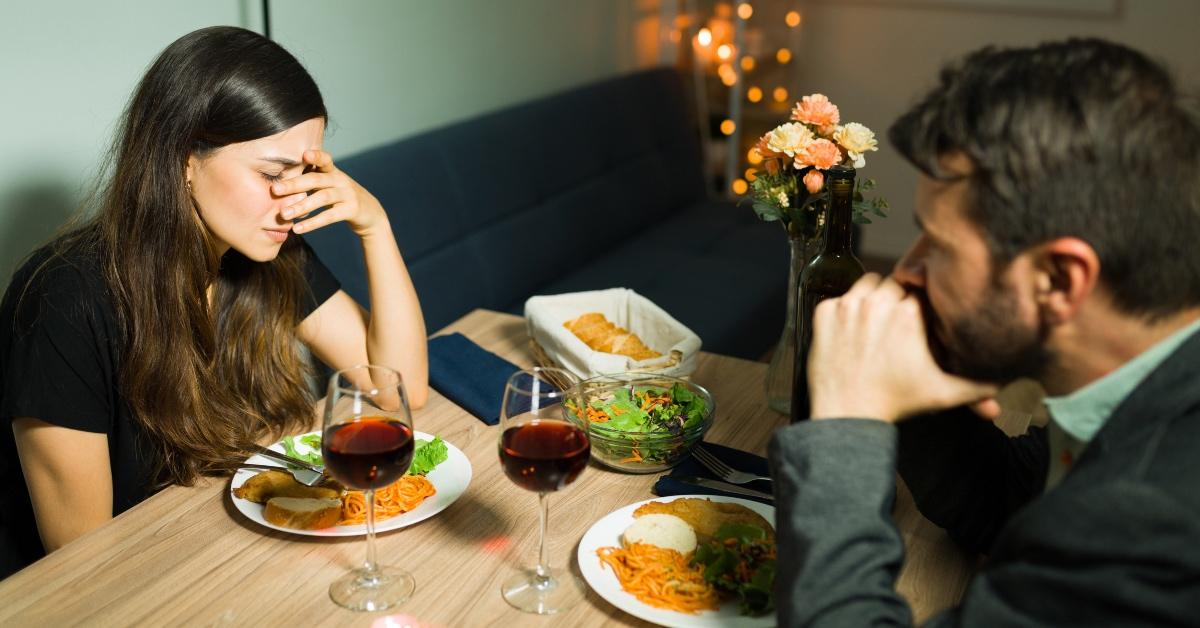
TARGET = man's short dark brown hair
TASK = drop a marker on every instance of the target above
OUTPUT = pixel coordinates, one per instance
(1081, 139)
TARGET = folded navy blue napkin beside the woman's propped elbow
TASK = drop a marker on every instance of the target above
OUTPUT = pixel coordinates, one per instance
(470, 375)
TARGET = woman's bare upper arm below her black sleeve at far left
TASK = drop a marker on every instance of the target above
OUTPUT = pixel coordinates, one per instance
(69, 479)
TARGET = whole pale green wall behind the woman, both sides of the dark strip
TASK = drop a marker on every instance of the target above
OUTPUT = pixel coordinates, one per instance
(388, 69)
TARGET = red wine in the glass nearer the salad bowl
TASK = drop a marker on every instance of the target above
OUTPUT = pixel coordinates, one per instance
(544, 456)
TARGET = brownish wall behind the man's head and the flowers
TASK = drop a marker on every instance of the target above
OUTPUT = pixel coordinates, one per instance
(874, 58)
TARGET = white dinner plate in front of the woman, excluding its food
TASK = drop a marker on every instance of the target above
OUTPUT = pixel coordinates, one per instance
(451, 480)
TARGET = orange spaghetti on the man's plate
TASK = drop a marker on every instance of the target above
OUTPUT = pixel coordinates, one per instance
(661, 578)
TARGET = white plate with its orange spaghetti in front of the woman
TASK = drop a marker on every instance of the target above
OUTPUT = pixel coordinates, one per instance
(405, 503)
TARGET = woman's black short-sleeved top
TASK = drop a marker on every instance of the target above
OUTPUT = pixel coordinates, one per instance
(59, 363)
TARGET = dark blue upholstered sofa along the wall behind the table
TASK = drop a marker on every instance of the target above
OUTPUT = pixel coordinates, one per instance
(596, 188)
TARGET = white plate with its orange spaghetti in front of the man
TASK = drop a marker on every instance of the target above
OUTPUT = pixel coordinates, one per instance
(655, 584)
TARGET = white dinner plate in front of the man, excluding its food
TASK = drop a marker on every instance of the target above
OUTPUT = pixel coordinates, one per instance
(607, 534)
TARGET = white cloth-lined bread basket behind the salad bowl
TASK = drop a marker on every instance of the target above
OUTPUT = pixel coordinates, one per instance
(554, 345)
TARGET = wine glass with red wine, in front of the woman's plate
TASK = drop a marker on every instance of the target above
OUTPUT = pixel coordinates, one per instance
(368, 445)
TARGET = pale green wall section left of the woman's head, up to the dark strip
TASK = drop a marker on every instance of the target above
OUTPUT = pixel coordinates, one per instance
(67, 70)
